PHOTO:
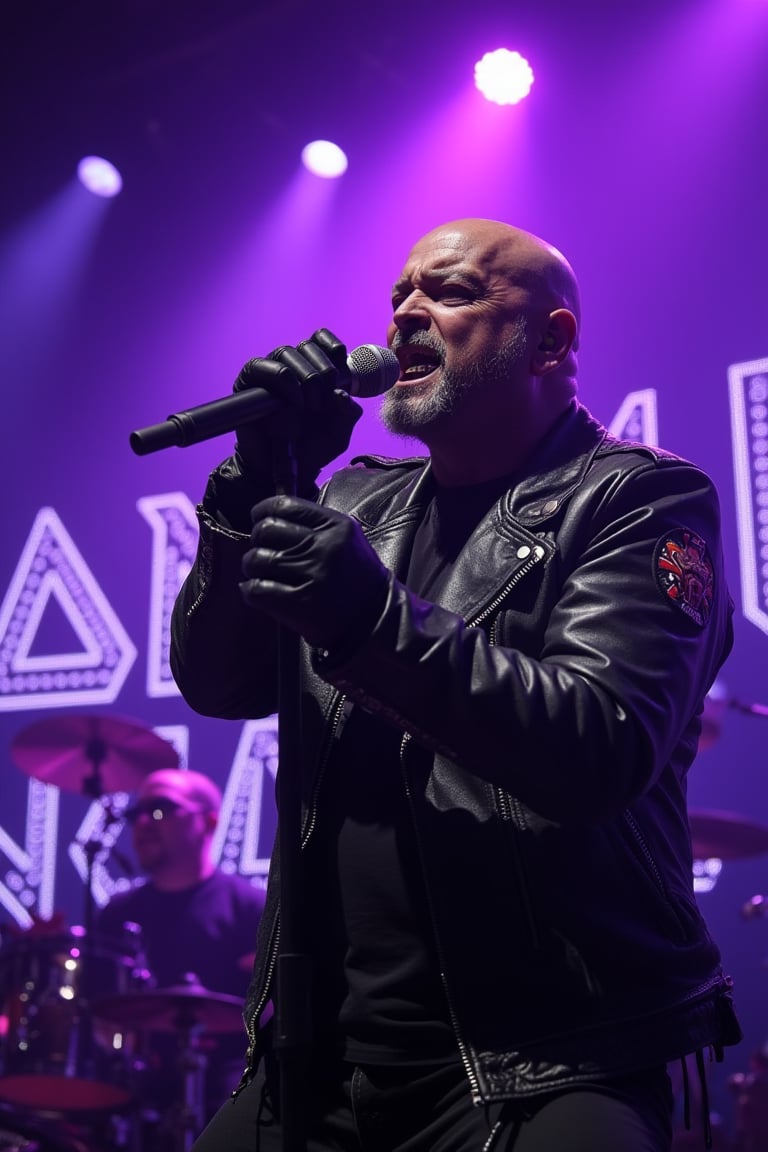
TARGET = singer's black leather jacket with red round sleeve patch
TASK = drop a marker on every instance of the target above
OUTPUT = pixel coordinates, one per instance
(550, 710)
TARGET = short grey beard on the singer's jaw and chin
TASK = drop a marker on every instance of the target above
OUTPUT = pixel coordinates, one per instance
(407, 414)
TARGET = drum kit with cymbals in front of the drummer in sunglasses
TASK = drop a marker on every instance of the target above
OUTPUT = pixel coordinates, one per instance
(78, 1012)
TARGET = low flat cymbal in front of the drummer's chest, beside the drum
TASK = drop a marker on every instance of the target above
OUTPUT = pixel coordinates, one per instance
(169, 1010)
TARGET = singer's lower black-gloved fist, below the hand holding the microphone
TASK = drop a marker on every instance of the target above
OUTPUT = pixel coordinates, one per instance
(314, 571)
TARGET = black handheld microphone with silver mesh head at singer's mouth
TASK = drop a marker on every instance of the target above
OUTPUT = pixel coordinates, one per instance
(372, 372)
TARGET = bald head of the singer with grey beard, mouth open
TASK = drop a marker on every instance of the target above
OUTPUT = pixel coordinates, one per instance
(485, 327)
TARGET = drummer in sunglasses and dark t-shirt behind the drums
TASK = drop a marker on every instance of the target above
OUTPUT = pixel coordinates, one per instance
(195, 919)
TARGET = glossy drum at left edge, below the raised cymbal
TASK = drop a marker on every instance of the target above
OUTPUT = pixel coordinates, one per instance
(55, 1057)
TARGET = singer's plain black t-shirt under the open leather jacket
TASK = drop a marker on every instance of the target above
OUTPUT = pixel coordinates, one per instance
(378, 992)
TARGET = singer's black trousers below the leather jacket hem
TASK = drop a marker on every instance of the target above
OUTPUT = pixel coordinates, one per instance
(430, 1110)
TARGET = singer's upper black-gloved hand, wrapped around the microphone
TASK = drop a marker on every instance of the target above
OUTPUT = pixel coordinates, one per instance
(316, 412)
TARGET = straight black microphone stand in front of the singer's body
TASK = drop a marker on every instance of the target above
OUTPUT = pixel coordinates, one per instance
(293, 1010)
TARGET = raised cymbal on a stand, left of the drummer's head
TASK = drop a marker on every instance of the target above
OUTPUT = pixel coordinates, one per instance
(92, 754)
